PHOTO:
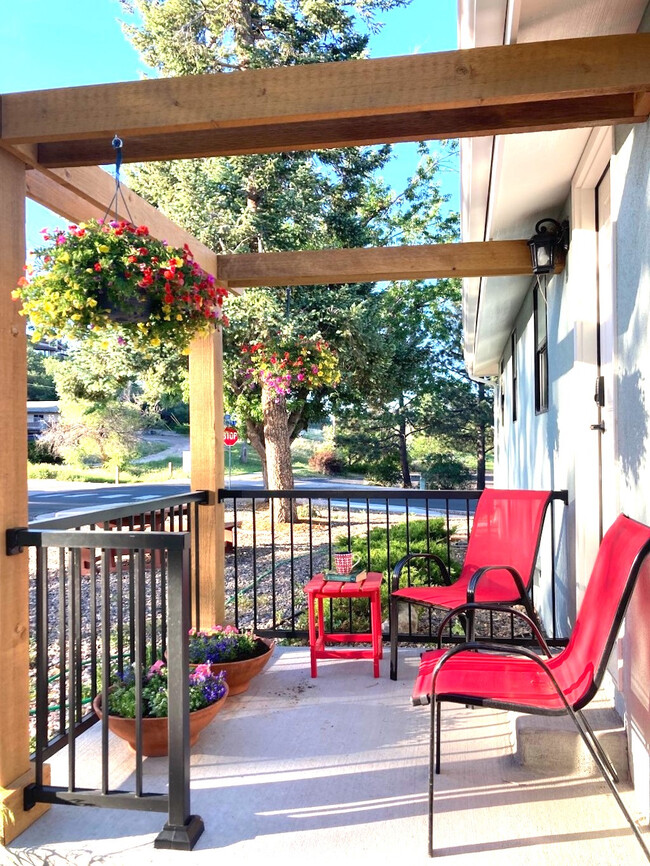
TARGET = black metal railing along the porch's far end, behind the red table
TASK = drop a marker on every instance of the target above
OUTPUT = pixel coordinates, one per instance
(270, 561)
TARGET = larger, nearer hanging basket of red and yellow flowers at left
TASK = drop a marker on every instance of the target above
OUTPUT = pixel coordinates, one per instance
(115, 277)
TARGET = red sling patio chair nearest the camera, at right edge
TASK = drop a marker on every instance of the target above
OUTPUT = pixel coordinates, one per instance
(516, 678)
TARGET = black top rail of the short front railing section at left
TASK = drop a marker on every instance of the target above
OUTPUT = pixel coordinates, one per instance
(104, 539)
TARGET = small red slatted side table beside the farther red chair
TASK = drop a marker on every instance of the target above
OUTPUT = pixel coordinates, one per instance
(318, 589)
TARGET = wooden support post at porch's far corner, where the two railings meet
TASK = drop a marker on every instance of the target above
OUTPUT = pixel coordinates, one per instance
(206, 445)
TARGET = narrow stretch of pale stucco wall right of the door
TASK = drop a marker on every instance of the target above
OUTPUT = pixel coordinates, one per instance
(631, 176)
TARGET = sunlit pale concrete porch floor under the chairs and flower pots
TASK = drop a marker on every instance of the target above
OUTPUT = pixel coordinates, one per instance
(299, 770)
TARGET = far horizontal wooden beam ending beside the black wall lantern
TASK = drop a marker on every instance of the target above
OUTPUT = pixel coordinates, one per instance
(323, 267)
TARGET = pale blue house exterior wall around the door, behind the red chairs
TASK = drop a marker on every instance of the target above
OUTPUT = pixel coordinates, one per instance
(557, 448)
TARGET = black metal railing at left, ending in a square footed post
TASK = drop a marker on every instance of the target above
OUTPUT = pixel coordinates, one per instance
(110, 589)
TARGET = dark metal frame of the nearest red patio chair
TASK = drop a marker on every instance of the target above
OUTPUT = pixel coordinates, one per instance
(573, 710)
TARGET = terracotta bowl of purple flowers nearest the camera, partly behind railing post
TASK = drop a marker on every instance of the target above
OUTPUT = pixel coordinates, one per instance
(208, 693)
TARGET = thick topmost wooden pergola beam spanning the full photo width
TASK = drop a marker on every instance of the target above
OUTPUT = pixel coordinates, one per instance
(480, 91)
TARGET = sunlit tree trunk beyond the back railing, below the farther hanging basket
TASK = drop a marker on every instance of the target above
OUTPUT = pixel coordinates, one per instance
(278, 451)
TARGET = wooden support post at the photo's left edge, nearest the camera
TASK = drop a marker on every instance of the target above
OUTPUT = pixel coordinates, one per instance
(15, 770)
